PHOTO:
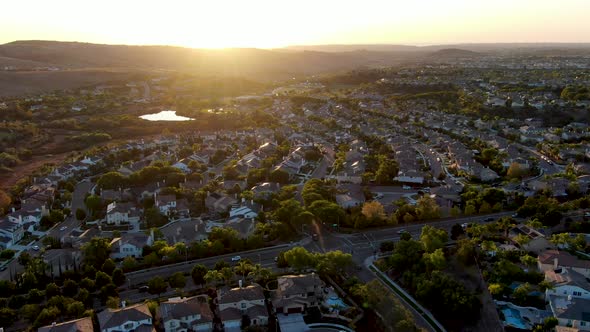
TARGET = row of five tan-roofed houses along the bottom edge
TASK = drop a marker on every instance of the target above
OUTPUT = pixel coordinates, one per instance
(230, 310)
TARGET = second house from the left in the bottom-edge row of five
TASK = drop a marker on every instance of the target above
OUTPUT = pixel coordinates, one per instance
(136, 318)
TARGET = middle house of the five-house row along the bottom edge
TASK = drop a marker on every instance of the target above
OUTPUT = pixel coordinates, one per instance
(187, 314)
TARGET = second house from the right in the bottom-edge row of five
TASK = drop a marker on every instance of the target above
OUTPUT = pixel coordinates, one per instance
(236, 303)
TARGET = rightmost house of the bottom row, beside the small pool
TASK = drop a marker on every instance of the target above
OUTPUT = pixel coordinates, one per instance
(296, 293)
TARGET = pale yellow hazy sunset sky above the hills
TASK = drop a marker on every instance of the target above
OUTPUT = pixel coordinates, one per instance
(279, 23)
